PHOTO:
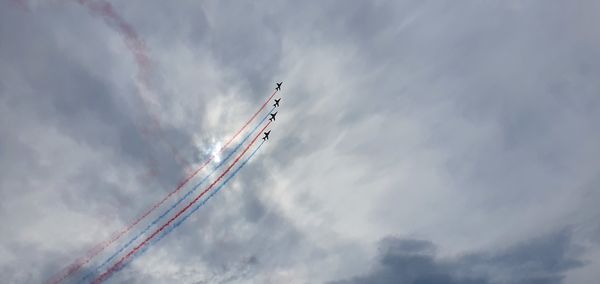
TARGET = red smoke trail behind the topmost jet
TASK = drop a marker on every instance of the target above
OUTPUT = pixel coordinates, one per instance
(75, 266)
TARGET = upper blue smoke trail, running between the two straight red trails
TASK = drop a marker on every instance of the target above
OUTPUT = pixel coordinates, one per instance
(178, 201)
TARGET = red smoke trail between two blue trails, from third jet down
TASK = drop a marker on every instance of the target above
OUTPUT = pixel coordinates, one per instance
(117, 265)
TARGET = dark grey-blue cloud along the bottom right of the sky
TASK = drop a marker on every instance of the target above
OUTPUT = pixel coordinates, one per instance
(541, 260)
